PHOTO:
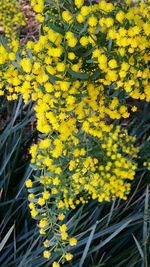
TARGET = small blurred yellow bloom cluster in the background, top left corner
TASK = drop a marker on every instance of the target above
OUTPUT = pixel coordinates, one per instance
(11, 18)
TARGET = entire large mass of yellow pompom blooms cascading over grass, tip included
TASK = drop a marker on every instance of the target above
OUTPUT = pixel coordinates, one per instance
(88, 66)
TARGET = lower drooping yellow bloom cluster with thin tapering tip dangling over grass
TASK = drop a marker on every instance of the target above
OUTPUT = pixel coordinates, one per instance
(74, 169)
